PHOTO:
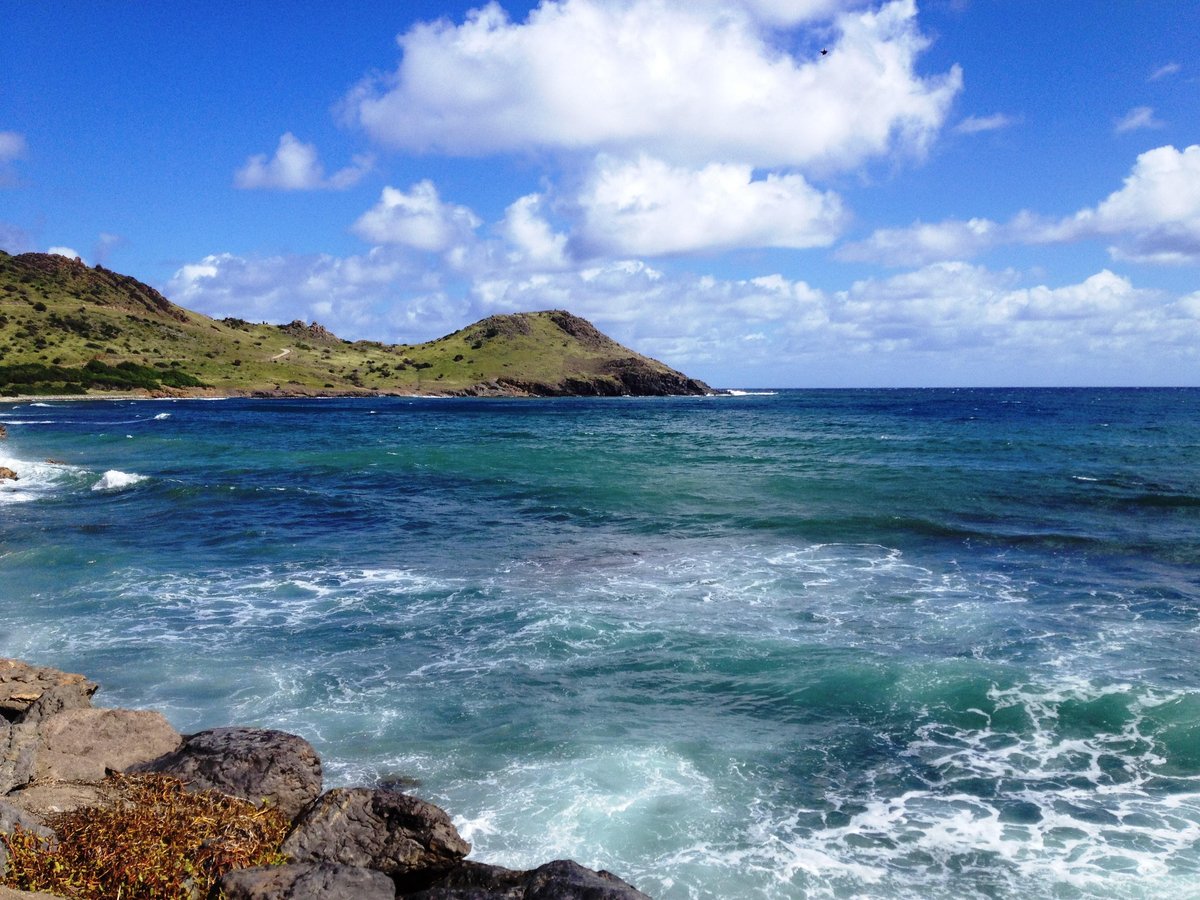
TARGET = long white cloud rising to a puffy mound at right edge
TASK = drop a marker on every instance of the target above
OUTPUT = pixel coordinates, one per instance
(1155, 218)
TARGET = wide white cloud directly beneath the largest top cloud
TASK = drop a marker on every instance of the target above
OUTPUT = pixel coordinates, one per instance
(649, 208)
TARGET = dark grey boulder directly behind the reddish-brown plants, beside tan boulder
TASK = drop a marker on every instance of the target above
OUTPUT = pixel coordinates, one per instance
(253, 764)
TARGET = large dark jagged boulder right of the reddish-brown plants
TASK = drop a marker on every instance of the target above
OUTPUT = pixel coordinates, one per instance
(401, 836)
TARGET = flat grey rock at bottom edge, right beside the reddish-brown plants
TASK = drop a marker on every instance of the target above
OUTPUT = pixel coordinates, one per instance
(307, 881)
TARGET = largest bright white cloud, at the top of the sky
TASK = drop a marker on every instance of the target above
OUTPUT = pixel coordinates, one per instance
(688, 83)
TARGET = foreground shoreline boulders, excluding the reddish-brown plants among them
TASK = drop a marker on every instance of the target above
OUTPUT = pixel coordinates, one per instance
(59, 754)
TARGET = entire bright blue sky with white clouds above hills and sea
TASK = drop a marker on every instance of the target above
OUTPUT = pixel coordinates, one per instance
(958, 193)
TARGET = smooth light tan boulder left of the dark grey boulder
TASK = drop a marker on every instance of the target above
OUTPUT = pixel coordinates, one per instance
(83, 745)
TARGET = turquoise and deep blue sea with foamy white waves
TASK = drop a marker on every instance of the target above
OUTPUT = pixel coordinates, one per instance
(795, 645)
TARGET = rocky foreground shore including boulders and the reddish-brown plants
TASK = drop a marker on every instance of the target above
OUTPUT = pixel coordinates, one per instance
(69, 764)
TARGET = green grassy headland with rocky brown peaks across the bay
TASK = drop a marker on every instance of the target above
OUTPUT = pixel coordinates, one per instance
(67, 328)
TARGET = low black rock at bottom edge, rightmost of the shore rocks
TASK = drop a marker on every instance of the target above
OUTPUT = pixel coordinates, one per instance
(561, 880)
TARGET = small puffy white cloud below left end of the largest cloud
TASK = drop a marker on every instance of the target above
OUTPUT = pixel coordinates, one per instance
(418, 219)
